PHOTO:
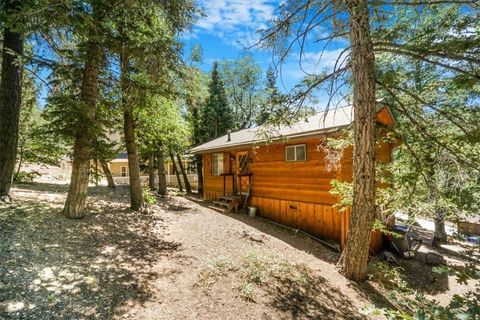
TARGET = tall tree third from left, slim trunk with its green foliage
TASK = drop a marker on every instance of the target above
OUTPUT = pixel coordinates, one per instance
(149, 54)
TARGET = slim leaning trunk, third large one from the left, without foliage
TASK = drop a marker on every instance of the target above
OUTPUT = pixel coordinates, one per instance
(136, 195)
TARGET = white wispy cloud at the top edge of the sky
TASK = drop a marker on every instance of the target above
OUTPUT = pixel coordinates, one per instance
(235, 21)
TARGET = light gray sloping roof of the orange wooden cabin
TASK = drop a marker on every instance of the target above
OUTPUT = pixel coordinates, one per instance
(321, 122)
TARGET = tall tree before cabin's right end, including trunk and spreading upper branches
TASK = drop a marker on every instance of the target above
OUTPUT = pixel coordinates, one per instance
(355, 67)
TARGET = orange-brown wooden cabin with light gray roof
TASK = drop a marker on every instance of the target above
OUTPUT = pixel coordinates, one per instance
(287, 178)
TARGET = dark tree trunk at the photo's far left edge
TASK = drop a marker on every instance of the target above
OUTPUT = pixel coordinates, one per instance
(10, 99)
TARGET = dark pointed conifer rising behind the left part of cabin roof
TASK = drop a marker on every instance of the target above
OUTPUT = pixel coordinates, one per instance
(217, 115)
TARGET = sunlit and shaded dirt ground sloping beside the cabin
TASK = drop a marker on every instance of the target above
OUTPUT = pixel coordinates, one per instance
(180, 261)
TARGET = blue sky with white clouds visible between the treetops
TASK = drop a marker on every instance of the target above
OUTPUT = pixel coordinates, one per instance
(231, 25)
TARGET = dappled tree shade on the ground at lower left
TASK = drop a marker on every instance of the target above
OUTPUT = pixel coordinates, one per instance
(93, 268)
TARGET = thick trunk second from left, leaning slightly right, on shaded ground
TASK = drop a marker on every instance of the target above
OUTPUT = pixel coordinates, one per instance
(77, 192)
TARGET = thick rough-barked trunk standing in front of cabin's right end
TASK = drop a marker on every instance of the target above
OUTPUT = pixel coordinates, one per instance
(354, 259)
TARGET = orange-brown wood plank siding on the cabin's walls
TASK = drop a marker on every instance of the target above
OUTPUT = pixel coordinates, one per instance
(296, 194)
